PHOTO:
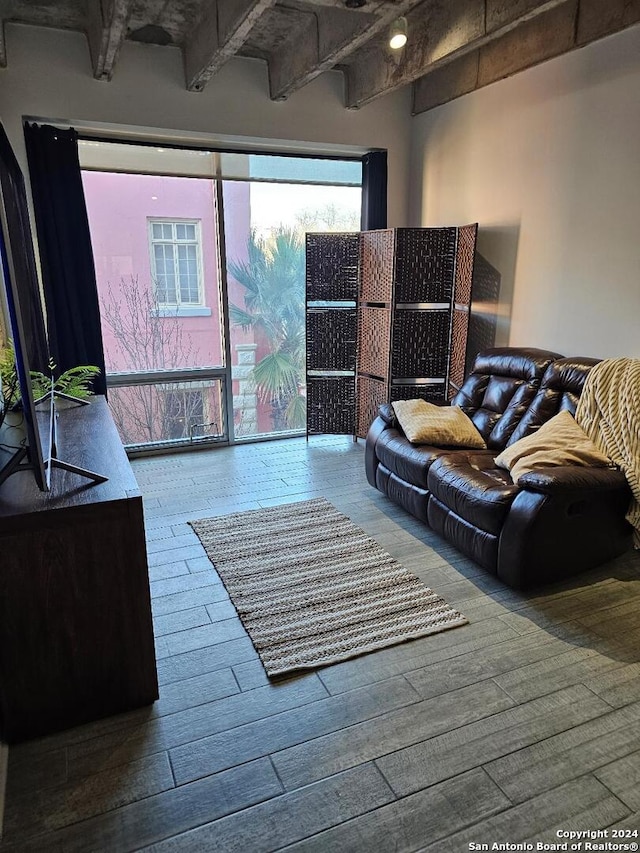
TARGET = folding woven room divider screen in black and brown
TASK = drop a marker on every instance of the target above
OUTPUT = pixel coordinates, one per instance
(387, 315)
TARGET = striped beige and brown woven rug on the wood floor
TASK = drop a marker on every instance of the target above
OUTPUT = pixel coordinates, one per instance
(312, 589)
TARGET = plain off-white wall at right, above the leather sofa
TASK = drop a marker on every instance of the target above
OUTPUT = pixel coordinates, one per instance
(548, 163)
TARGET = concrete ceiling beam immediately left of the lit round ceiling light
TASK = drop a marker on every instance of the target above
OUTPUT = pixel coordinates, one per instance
(330, 37)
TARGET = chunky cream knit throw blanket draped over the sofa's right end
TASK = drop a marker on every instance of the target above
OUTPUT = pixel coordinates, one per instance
(609, 412)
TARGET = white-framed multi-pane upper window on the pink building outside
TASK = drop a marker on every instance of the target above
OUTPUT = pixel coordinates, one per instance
(176, 265)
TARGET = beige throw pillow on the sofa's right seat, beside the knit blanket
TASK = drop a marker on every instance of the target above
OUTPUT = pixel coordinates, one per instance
(560, 441)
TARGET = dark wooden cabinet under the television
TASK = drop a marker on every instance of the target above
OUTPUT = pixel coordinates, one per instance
(76, 636)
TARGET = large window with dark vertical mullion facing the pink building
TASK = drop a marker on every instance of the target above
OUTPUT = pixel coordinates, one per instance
(200, 266)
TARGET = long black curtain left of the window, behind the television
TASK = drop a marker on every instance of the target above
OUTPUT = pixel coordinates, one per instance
(66, 256)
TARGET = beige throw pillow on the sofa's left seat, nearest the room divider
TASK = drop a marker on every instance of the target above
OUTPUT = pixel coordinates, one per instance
(442, 426)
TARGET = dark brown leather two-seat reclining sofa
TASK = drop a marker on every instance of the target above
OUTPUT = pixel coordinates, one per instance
(559, 521)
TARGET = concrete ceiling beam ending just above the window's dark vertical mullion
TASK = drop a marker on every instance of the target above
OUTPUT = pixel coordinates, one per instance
(221, 32)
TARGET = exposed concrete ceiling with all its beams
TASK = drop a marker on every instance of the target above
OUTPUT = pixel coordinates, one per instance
(454, 46)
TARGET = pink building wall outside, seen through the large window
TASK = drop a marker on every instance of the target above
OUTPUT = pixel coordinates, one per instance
(121, 208)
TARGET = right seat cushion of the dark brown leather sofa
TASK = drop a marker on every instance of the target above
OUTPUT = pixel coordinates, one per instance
(471, 485)
